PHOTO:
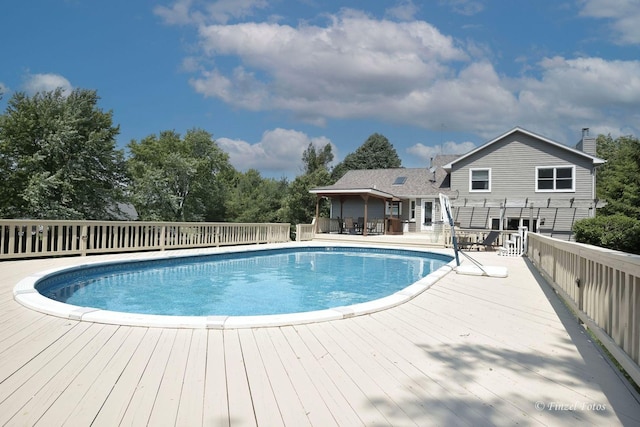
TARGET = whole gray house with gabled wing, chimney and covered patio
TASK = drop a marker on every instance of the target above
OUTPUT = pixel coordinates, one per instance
(517, 179)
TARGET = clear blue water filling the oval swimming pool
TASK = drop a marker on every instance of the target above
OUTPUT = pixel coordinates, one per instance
(275, 281)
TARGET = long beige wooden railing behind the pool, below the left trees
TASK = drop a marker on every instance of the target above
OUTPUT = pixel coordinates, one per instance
(36, 238)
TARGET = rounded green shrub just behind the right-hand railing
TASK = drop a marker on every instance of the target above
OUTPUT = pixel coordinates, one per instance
(617, 232)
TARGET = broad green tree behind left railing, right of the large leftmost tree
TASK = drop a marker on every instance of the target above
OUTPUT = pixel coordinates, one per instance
(178, 179)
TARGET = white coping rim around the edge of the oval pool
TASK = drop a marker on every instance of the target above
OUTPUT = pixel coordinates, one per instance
(26, 294)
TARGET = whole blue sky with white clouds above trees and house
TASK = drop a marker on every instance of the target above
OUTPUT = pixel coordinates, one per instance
(267, 77)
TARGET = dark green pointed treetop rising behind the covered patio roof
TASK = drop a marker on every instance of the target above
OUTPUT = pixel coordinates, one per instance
(375, 153)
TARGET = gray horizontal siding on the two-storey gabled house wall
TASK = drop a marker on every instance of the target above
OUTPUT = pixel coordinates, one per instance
(512, 162)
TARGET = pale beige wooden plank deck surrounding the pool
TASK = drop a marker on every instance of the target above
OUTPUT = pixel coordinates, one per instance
(468, 351)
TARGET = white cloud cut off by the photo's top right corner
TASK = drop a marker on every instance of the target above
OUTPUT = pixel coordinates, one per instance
(624, 16)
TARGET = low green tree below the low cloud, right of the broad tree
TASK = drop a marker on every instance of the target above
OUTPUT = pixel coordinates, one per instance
(254, 199)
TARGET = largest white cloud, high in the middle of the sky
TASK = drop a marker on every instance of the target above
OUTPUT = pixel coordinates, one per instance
(350, 68)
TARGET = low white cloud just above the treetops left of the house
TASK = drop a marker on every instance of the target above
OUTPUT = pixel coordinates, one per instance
(279, 150)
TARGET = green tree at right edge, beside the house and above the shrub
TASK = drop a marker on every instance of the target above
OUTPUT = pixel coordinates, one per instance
(618, 180)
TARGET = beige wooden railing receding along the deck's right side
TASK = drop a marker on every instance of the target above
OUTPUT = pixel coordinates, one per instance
(602, 287)
